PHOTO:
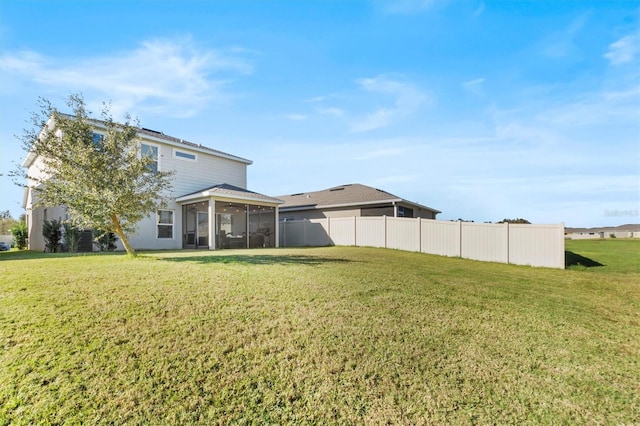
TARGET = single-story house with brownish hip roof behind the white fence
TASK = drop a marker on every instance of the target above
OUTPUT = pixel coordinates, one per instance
(350, 200)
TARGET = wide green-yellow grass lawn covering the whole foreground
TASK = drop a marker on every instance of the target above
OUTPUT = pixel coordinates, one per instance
(319, 335)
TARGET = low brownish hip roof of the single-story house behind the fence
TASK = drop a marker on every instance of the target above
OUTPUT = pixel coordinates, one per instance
(343, 196)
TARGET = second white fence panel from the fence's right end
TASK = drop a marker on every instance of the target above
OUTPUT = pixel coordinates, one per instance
(485, 241)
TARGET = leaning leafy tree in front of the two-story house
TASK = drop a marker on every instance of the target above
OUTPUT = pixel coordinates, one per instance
(104, 181)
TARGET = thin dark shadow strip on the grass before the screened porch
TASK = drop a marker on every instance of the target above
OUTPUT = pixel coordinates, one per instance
(256, 259)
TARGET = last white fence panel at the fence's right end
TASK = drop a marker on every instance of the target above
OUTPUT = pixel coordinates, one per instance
(537, 245)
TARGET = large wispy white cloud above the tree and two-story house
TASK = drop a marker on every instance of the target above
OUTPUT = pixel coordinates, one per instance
(171, 77)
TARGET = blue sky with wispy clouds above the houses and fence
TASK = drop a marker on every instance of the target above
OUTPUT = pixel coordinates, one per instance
(482, 109)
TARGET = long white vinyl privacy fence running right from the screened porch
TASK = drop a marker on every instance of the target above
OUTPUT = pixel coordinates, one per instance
(519, 244)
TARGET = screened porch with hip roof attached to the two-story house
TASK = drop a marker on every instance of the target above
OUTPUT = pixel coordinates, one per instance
(228, 217)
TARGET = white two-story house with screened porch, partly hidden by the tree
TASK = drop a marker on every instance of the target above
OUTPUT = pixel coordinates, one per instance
(209, 206)
